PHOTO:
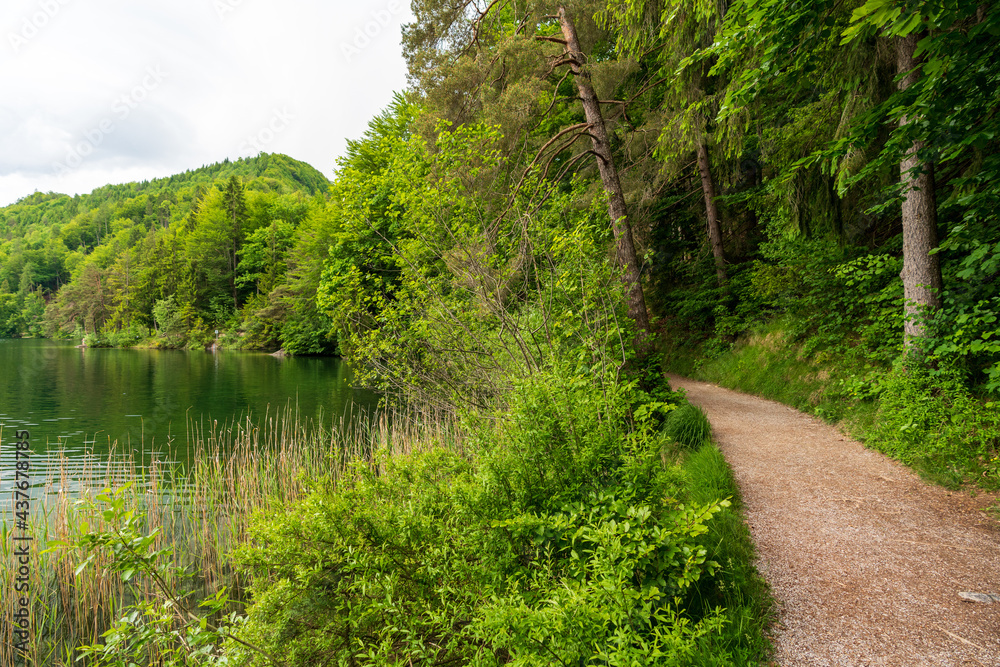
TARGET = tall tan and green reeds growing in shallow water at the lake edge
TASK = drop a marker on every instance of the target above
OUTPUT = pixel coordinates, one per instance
(202, 507)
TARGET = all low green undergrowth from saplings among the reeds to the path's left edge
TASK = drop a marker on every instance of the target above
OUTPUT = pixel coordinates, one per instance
(568, 528)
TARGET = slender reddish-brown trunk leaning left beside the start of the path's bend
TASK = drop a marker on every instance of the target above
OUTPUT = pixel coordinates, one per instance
(617, 210)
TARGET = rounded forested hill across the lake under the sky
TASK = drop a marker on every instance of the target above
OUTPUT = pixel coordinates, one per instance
(181, 255)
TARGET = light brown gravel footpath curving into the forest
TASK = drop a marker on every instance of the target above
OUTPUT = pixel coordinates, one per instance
(865, 560)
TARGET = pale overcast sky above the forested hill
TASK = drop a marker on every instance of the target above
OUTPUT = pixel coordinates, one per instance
(110, 91)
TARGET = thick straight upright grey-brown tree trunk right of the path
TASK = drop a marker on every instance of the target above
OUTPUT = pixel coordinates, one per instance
(921, 273)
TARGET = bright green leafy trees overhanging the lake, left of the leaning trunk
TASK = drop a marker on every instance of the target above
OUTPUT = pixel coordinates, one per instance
(449, 299)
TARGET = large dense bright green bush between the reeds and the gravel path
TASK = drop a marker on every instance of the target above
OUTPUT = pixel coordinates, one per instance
(565, 538)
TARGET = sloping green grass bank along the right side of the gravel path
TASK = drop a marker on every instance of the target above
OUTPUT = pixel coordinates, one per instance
(924, 418)
